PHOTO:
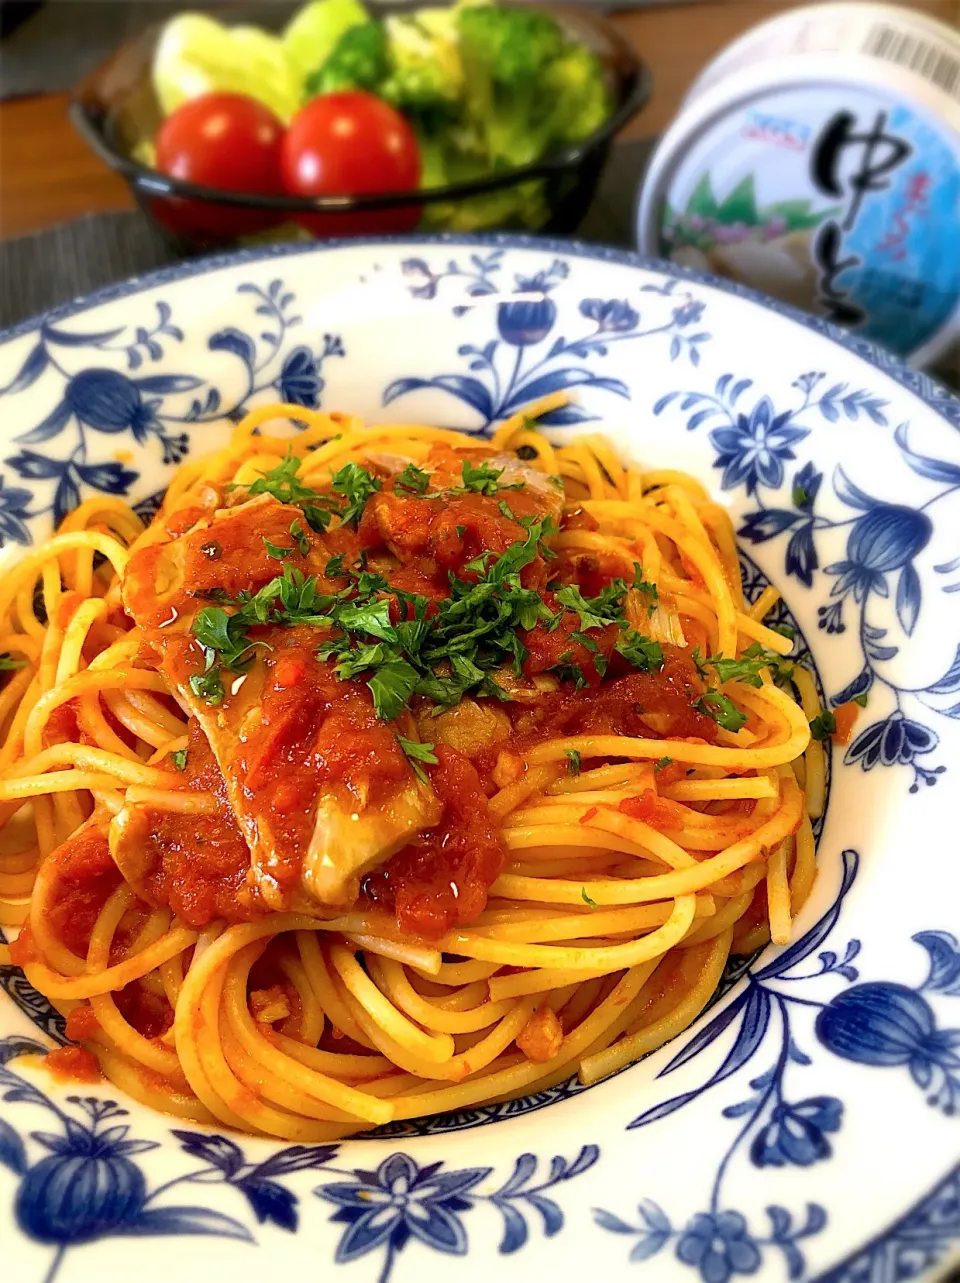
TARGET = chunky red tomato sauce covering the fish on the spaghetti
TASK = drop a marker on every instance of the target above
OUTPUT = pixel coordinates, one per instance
(291, 733)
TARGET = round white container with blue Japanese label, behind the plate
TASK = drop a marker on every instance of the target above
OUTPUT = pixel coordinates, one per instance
(818, 160)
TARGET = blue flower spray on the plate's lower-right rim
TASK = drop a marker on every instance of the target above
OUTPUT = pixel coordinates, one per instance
(875, 1023)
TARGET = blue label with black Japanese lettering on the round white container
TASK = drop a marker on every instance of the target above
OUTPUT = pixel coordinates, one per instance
(843, 205)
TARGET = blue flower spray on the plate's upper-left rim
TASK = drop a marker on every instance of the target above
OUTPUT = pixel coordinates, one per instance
(148, 407)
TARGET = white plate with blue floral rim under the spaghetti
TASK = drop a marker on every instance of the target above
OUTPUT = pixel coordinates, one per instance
(807, 1128)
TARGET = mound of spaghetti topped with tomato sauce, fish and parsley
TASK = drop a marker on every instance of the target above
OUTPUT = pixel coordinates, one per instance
(391, 772)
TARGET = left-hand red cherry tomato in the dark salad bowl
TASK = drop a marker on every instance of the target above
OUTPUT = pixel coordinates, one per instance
(228, 142)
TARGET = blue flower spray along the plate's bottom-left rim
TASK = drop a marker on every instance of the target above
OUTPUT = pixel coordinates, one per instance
(87, 1185)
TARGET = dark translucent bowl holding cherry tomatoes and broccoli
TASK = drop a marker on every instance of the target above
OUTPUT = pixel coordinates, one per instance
(116, 111)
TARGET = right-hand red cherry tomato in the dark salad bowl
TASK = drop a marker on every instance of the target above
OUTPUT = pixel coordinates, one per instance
(347, 146)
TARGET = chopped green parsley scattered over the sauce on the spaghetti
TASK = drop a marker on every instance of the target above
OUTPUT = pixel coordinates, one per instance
(383, 636)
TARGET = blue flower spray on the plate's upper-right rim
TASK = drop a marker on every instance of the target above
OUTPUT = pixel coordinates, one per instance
(884, 542)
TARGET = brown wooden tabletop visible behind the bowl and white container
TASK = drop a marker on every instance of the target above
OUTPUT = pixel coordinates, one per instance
(48, 175)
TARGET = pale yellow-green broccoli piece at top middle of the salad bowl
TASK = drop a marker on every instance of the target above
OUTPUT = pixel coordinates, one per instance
(427, 75)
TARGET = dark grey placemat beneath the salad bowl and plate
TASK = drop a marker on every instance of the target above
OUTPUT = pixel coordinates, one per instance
(52, 268)
